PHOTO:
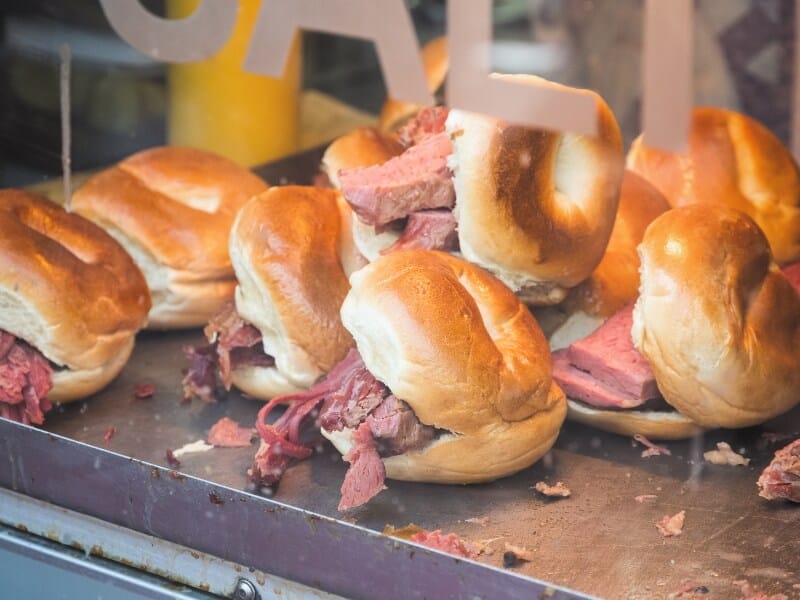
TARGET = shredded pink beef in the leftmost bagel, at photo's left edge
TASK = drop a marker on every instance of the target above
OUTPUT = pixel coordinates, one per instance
(25, 381)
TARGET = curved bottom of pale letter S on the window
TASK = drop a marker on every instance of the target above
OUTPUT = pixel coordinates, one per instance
(197, 37)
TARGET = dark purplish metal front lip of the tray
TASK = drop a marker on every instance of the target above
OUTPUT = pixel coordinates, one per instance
(253, 531)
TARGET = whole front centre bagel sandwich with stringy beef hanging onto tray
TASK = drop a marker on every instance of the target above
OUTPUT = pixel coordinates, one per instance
(449, 382)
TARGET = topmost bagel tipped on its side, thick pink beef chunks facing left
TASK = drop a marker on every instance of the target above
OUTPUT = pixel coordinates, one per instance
(534, 207)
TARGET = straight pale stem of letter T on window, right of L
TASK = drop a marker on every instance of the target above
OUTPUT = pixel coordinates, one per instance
(667, 94)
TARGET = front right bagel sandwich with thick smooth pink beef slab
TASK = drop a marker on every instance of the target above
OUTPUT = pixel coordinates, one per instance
(712, 341)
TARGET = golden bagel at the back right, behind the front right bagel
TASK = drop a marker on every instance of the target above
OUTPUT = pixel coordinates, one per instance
(734, 161)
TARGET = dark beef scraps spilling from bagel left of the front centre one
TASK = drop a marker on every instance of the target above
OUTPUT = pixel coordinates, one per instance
(234, 343)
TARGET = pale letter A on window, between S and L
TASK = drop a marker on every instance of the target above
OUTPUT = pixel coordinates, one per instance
(386, 22)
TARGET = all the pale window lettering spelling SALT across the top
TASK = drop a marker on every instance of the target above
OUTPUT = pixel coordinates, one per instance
(667, 57)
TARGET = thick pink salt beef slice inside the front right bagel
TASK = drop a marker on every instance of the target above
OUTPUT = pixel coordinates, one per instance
(605, 369)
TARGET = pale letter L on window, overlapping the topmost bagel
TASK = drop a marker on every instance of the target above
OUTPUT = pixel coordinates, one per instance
(470, 86)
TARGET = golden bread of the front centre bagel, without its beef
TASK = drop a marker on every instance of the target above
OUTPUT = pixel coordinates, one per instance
(456, 345)
